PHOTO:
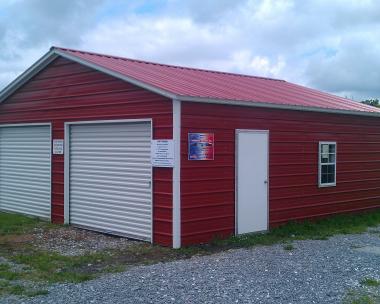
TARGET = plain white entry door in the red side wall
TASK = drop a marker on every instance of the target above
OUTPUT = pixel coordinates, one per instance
(252, 181)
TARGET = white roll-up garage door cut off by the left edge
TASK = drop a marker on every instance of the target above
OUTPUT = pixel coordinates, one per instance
(25, 170)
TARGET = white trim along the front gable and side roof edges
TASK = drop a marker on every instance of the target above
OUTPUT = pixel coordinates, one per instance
(55, 53)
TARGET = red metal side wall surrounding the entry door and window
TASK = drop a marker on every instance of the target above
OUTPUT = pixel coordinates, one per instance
(208, 187)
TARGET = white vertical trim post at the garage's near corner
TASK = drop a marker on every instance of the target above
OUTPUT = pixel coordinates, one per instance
(177, 174)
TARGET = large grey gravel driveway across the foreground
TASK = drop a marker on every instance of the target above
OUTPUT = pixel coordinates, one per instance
(314, 272)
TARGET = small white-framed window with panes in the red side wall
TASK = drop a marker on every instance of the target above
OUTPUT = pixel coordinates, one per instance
(327, 164)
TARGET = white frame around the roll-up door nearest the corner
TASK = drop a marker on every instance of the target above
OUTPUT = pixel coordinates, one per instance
(67, 161)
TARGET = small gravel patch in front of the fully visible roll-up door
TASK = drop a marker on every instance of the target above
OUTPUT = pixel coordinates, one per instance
(72, 241)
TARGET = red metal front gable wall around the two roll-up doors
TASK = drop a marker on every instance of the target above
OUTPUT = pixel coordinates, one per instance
(66, 91)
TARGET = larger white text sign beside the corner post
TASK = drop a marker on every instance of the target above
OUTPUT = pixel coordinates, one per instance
(162, 153)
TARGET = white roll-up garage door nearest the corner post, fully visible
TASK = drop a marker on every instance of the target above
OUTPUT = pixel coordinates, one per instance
(110, 178)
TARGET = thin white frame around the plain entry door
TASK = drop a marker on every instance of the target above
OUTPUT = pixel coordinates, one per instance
(237, 131)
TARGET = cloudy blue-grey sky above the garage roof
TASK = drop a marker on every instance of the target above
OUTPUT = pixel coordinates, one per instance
(331, 45)
